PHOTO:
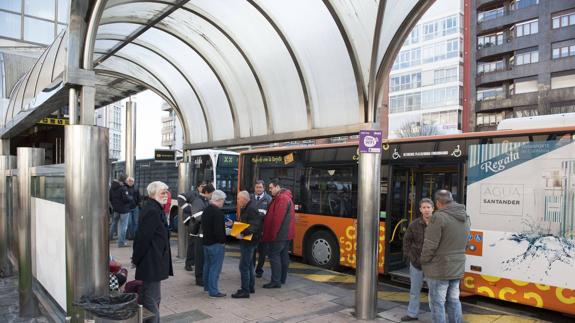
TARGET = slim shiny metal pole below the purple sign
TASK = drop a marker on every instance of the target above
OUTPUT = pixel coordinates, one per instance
(367, 236)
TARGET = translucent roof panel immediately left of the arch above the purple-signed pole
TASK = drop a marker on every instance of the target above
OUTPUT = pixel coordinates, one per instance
(311, 32)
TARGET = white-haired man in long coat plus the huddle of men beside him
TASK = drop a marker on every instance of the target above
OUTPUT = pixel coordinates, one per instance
(271, 222)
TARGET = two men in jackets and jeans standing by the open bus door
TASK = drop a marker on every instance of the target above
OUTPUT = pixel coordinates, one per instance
(435, 246)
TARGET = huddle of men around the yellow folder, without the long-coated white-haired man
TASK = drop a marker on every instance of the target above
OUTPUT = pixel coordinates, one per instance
(271, 227)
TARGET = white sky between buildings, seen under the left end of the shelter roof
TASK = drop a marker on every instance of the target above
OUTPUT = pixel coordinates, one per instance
(148, 124)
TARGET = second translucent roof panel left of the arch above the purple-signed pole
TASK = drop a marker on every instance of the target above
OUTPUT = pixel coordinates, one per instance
(269, 56)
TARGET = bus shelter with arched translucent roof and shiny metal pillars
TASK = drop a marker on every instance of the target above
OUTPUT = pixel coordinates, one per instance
(235, 72)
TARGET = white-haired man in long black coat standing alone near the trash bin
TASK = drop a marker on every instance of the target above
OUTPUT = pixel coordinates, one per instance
(151, 254)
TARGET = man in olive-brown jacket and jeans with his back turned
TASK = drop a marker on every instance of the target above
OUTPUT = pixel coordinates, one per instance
(443, 256)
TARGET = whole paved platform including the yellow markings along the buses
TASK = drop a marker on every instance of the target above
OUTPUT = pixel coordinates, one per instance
(310, 295)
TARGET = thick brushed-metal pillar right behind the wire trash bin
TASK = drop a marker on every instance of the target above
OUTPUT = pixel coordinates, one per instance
(87, 245)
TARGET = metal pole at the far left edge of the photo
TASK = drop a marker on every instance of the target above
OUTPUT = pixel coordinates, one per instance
(6, 163)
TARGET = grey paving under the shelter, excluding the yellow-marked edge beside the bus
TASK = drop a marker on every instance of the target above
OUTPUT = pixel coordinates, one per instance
(300, 300)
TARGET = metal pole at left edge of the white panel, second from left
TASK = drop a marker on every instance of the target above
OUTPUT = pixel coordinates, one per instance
(27, 157)
